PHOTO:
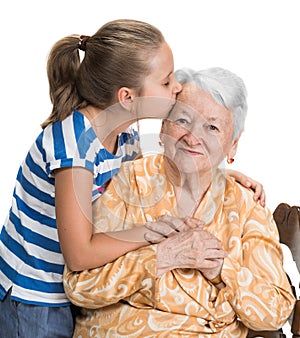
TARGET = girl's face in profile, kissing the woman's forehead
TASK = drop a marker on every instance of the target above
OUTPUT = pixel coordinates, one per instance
(160, 87)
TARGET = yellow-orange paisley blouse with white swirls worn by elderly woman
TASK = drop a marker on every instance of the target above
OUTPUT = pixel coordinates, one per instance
(125, 299)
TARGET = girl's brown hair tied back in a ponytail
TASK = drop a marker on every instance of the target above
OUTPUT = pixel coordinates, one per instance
(117, 55)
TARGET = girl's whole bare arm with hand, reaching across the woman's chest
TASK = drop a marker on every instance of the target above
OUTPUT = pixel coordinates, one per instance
(85, 247)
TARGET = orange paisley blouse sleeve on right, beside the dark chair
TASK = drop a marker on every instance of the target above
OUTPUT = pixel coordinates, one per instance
(257, 287)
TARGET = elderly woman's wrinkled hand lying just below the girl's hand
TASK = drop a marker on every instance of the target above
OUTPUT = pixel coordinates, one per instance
(195, 249)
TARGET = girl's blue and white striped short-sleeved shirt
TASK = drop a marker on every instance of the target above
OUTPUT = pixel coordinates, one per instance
(31, 260)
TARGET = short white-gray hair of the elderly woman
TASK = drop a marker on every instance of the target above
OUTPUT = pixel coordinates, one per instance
(225, 87)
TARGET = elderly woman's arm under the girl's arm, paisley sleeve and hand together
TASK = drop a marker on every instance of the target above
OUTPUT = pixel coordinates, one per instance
(136, 272)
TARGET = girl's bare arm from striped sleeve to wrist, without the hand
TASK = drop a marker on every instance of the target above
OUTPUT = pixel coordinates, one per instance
(81, 248)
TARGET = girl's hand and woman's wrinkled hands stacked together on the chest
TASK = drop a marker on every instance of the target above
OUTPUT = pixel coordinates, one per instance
(183, 243)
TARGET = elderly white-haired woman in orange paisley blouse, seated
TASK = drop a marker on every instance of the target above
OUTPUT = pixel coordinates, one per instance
(212, 278)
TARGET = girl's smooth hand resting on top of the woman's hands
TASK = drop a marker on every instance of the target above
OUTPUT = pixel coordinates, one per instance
(167, 226)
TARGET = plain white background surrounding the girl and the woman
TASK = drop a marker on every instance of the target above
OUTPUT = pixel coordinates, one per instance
(257, 39)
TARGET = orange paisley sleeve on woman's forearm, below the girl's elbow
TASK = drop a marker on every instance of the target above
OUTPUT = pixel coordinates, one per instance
(133, 273)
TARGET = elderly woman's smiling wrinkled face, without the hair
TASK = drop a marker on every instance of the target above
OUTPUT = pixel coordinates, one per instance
(198, 133)
